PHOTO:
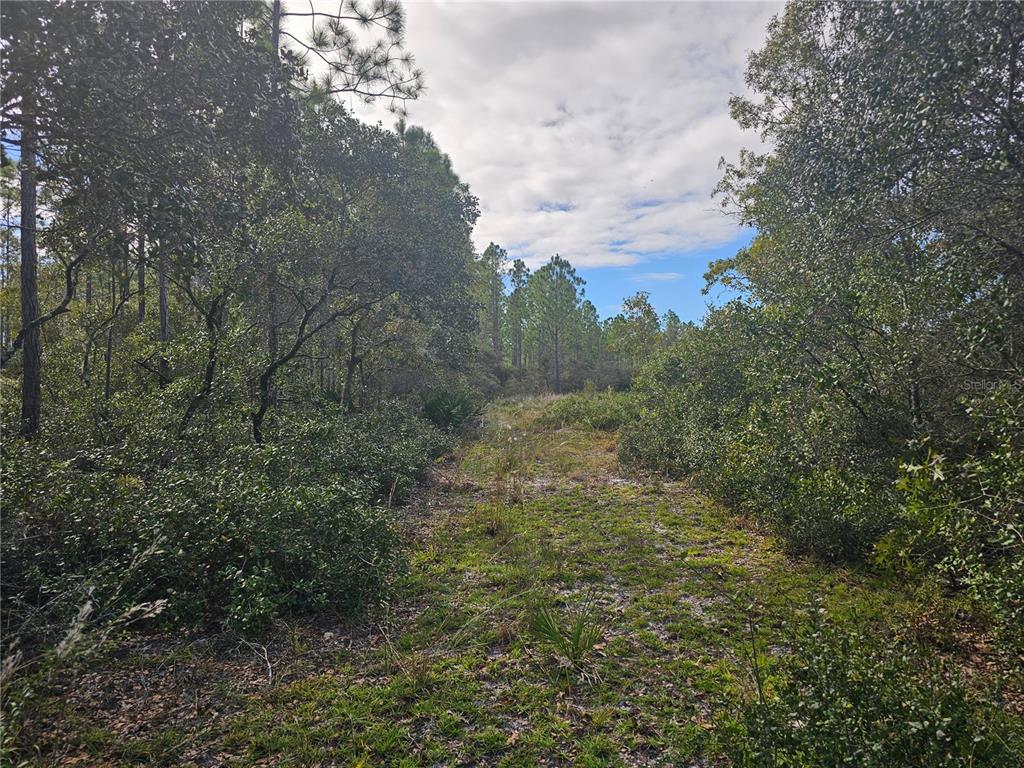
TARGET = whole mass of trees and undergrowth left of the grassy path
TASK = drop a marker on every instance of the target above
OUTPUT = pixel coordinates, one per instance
(225, 305)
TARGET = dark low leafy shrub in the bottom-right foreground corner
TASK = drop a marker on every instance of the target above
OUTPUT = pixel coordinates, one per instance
(847, 699)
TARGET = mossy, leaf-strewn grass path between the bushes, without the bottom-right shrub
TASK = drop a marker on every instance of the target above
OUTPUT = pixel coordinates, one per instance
(528, 523)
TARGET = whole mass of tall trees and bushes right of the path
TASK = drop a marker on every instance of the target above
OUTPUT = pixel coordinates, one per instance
(864, 394)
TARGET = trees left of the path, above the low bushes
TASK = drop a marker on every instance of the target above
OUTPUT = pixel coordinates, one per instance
(189, 190)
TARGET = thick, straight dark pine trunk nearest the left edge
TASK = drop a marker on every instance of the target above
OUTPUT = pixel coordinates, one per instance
(32, 355)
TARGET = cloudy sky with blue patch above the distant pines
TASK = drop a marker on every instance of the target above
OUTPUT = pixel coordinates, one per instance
(592, 131)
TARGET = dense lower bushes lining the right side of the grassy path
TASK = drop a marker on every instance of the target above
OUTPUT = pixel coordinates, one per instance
(798, 462)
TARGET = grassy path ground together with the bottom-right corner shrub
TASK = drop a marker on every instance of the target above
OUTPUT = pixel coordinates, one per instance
(557, 612)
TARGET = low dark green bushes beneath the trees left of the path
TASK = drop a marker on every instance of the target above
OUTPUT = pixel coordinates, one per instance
(238, 538)
